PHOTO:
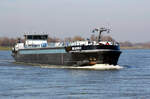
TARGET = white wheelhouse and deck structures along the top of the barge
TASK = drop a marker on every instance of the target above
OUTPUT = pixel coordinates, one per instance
(40, 41)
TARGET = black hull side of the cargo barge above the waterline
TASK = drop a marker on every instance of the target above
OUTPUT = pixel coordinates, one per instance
(78, 58)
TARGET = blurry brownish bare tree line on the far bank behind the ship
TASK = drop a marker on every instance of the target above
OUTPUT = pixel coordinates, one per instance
(9, 42)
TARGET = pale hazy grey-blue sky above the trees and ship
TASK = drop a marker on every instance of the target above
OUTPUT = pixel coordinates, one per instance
(129, 19)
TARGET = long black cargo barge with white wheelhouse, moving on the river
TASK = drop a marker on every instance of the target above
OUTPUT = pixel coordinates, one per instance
(36, 49)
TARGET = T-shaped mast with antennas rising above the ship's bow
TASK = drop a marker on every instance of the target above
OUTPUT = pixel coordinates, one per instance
(100, 30)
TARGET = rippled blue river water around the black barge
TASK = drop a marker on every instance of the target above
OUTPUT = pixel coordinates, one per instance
(18, 81)
